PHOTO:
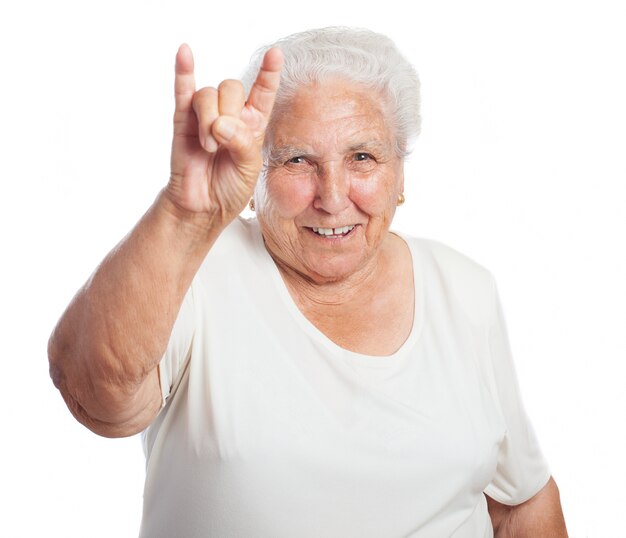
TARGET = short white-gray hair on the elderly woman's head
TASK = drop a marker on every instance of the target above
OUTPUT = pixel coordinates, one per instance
(357, 55)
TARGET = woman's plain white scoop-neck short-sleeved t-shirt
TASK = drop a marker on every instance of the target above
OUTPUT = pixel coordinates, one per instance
(271, 430)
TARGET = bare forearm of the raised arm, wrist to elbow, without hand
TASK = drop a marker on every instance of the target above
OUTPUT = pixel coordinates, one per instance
(116, 328)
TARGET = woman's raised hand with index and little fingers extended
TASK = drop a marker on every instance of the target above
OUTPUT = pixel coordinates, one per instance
(218, 137)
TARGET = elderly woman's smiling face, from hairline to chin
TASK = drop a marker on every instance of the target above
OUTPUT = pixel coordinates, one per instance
(332, 184)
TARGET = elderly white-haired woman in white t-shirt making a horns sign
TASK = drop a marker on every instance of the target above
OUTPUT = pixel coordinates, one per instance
(307, 373)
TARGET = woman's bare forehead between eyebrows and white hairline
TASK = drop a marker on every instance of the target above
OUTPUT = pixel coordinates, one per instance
(330, 113)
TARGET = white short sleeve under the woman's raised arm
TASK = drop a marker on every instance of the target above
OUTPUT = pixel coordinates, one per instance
(178, 349)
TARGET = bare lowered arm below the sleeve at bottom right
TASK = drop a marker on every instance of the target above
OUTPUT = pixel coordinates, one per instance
(540, 516)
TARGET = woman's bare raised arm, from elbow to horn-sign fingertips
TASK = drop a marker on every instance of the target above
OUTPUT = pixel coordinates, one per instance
(106, 348)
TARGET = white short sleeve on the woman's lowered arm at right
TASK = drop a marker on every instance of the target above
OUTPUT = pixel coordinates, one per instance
(521, 469)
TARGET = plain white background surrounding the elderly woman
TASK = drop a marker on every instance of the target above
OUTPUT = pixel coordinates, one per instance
(521, 165)
